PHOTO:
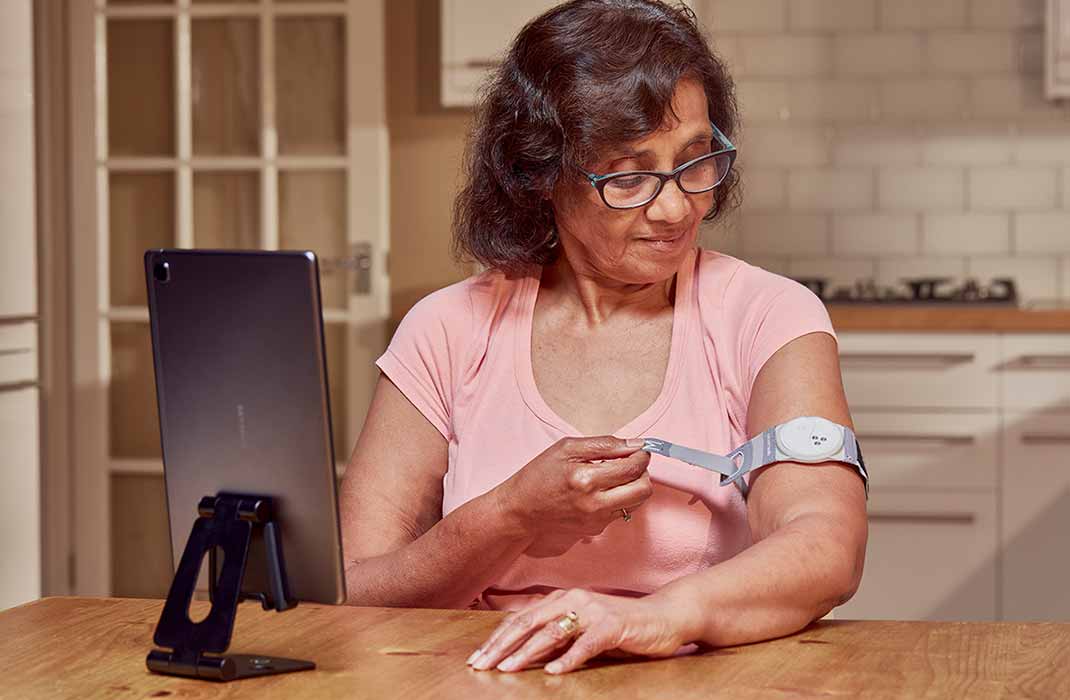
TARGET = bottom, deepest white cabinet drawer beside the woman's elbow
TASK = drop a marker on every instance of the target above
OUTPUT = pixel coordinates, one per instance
(930, 557)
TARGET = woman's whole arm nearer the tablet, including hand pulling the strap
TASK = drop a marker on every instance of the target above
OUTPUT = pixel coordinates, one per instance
(401, 552)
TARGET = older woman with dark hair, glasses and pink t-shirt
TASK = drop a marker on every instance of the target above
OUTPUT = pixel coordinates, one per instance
(500, 466)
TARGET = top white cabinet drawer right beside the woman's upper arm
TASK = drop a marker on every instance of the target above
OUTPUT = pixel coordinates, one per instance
(921, 371)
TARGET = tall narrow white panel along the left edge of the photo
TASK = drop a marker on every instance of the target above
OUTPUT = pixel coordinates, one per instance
(20, 436)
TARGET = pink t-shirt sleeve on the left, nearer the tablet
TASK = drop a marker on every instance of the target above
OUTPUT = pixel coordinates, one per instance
(423, 357)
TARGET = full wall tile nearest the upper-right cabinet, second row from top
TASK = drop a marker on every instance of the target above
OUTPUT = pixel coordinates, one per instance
(979, 53)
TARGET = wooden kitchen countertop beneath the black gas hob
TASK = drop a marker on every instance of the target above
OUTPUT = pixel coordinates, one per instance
(882, 317)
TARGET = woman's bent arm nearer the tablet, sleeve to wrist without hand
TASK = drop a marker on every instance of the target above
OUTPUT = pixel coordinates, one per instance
(399, 550)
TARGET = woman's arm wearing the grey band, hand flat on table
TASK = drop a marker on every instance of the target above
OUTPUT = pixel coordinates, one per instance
(809, 530)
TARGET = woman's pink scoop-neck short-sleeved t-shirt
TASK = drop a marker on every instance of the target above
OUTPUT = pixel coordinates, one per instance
(463, 357)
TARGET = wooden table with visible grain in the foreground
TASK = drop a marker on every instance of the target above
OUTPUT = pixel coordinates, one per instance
(96, 648)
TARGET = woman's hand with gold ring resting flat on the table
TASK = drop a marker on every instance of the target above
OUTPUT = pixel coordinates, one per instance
(604, 623)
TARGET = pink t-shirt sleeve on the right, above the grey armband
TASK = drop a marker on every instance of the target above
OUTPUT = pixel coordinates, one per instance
(783, 311)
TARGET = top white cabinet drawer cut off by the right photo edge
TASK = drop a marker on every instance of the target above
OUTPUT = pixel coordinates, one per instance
(1036, 372)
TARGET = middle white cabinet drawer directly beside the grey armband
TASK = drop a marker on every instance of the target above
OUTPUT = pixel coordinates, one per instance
(929, 450)
